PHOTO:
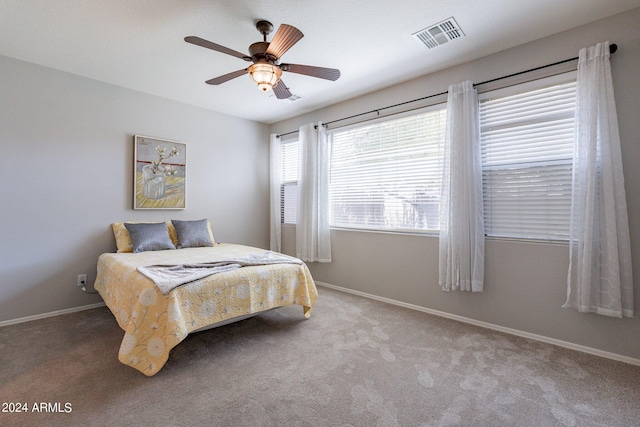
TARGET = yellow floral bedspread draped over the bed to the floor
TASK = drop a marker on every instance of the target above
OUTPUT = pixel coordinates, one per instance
(155, 323)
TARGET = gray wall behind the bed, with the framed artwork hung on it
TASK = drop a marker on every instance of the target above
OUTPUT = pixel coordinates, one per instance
(66, 173)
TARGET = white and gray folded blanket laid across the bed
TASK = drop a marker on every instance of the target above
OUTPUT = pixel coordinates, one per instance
(169, 277)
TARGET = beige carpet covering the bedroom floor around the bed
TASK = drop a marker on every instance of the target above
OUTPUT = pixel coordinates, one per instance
(356, 362)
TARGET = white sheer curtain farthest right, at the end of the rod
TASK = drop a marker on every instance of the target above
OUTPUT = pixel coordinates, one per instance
(600, 278)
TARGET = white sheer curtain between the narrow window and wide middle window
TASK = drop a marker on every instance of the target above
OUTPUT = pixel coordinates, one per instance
(313, 242)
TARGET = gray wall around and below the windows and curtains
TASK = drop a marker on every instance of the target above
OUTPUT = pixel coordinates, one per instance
(525, 283)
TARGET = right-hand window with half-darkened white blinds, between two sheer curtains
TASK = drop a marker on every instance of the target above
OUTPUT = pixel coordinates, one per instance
(527, 149)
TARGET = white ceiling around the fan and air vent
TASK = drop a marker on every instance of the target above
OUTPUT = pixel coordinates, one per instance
(139, 44)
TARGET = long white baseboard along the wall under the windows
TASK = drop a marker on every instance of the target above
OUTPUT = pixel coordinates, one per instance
(559, 343)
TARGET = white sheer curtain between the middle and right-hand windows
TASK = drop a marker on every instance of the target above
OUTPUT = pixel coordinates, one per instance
(461, 213)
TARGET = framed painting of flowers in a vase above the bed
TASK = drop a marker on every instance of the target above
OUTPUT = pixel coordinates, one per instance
(160, 173)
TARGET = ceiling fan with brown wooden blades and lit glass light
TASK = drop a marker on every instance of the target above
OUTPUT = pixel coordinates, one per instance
(266, 70)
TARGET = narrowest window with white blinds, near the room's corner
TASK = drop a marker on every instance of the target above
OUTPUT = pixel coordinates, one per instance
(289, 182)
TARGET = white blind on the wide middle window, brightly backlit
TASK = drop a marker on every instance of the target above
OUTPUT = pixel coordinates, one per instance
(387, 175)
